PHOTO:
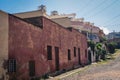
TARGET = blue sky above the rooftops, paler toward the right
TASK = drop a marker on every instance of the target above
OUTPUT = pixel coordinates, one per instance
(103, 13)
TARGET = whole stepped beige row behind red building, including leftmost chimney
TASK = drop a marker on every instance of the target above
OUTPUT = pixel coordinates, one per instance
(91, 31)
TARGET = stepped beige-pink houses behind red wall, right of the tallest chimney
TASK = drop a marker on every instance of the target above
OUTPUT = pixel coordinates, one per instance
(89, 29)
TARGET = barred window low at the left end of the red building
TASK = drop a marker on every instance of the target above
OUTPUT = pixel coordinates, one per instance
(11, 65)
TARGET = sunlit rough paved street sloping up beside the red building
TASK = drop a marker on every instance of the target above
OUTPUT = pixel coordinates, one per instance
(109, 71)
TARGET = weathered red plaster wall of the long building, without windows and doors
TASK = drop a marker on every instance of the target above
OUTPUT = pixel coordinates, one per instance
(28, 42)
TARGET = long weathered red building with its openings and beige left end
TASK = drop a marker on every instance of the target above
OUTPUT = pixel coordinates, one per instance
(34, 46)
